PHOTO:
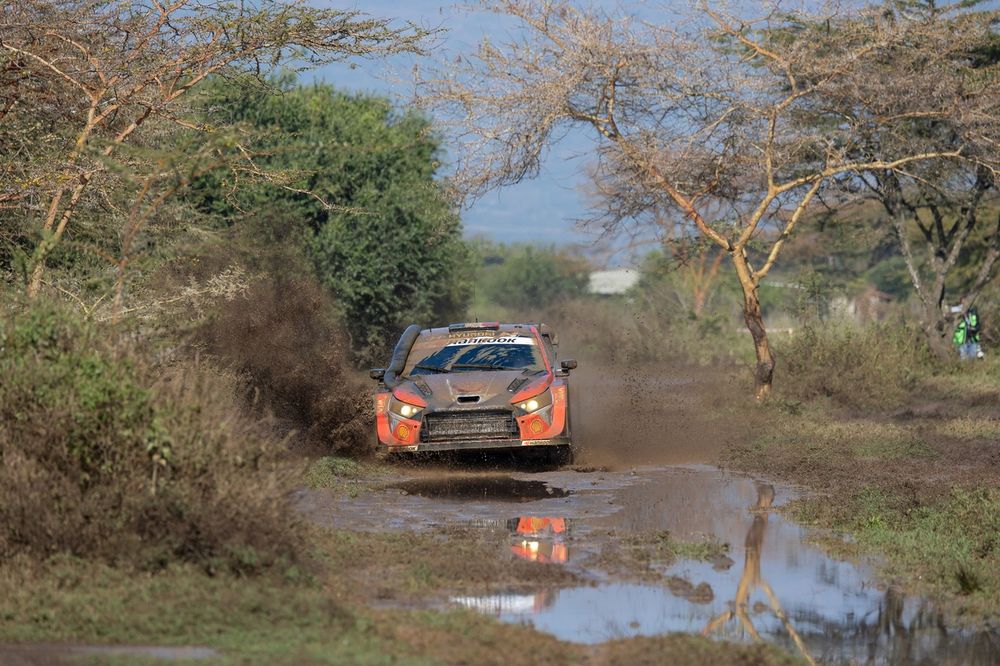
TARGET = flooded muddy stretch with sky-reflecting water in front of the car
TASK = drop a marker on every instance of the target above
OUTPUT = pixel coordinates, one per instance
(773, 584)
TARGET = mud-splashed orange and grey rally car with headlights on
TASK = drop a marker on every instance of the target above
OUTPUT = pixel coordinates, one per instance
(474, 386)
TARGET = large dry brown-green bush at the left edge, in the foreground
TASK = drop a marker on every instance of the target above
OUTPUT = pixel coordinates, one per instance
(103, 456)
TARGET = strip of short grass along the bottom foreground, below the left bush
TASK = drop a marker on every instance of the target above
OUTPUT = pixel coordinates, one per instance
(324, 617)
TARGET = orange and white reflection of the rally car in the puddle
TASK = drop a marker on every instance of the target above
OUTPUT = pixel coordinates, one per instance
(536, 539)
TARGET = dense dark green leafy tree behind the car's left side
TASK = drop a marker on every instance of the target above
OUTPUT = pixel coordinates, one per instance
(381, 235)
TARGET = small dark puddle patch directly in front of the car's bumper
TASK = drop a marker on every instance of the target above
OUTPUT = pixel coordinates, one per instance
(491, 488)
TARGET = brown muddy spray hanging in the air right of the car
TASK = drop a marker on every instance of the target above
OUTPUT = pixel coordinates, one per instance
(628, 412)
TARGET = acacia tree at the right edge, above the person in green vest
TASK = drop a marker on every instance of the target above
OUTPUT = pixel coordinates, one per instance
(939, 206)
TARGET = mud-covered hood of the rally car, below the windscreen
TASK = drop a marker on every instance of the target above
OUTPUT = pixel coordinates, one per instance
(491, 387)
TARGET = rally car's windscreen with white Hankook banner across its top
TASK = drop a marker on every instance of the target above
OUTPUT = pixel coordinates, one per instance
(441, 353)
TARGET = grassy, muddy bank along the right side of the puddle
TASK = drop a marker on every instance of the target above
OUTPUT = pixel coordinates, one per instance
(918, 491)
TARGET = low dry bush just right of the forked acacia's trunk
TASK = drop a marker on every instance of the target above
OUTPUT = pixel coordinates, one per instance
(874, 366)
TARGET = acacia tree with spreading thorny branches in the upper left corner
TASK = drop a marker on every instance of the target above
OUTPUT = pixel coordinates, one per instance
(102, 70)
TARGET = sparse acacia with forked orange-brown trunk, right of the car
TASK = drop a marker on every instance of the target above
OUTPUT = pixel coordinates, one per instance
(701, 116)
